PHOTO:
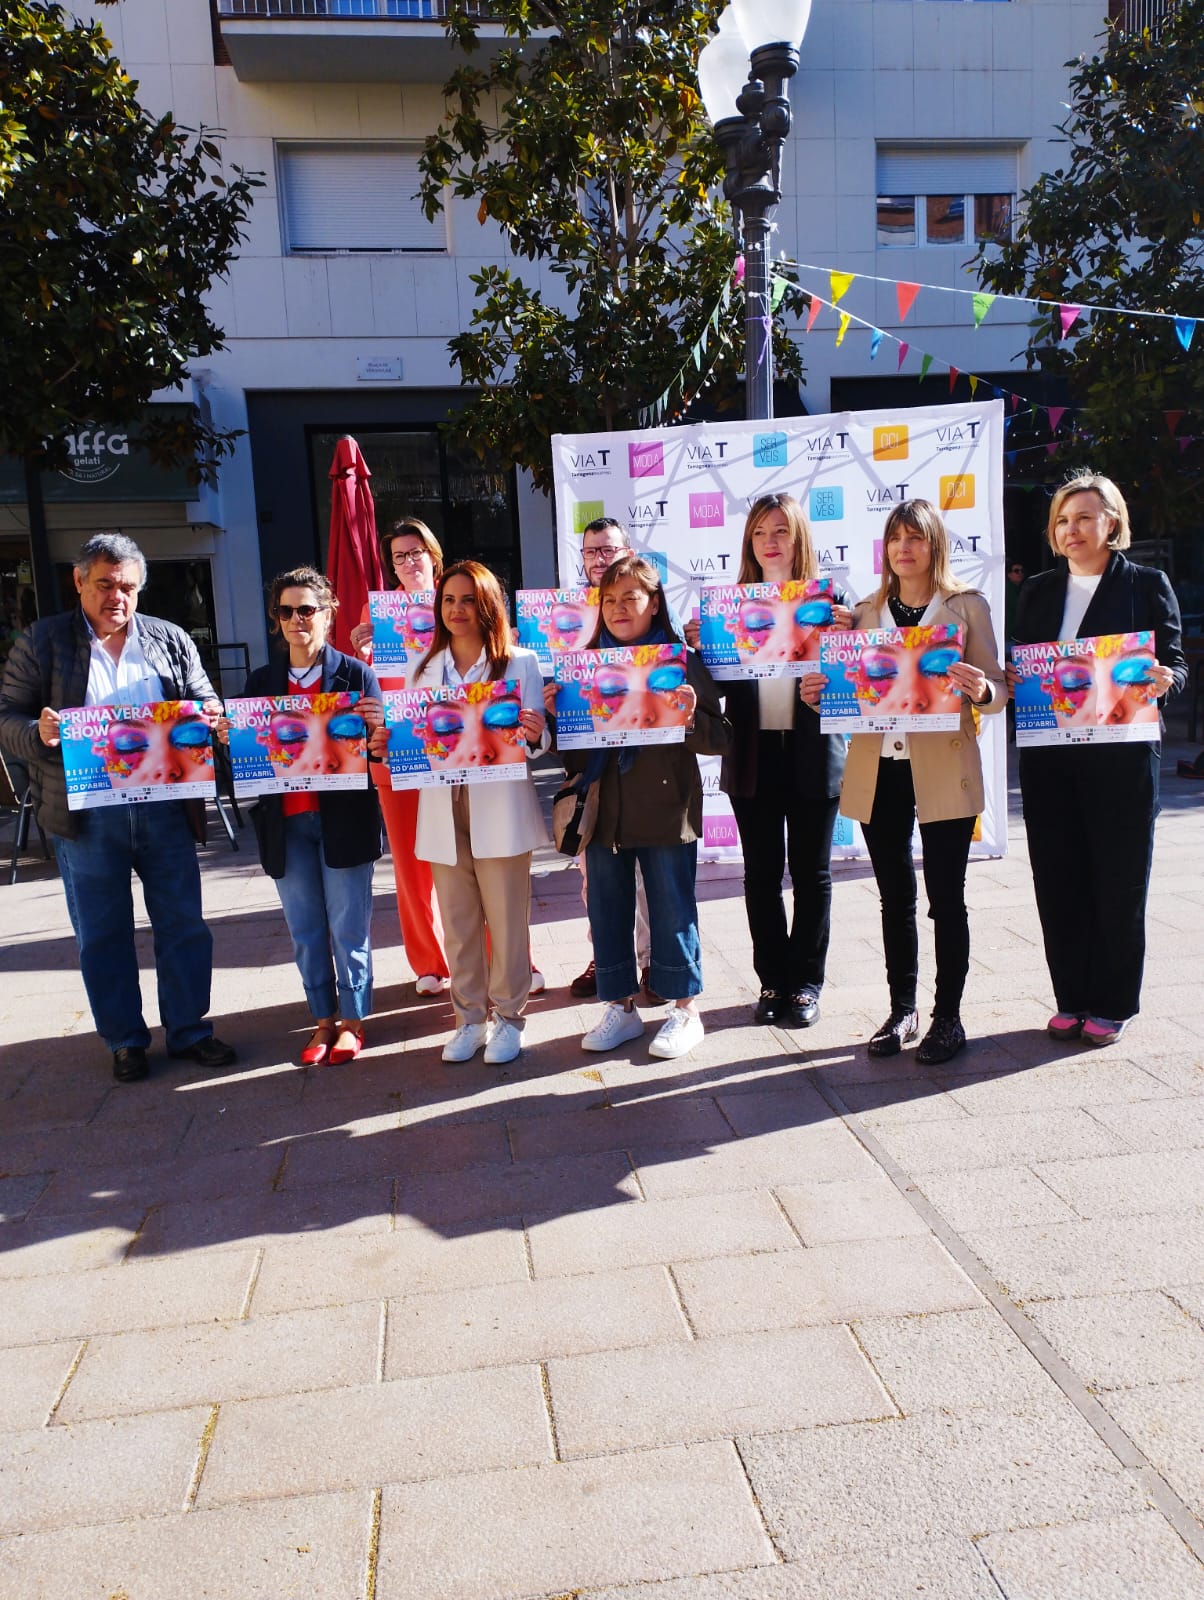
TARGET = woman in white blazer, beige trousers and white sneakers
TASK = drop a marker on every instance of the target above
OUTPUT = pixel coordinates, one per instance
(480, 838)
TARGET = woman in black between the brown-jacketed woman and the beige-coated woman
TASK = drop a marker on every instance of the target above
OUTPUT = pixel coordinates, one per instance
(784, 778)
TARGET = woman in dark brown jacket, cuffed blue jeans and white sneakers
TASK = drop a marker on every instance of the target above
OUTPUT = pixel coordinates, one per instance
(649, 812)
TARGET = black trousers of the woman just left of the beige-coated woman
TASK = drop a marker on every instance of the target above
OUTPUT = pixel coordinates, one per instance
(777, 826)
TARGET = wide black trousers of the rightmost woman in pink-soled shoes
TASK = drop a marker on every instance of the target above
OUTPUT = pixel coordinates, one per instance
(1090, 817)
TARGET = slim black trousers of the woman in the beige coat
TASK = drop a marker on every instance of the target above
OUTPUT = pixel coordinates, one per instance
(945, 849)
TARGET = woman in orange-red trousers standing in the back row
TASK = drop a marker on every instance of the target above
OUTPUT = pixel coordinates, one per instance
(412, 559)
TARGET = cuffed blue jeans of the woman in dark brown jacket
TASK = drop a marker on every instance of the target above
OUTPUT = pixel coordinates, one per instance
(673, 919)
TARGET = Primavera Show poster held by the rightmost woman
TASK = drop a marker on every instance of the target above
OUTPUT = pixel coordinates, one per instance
(1086, 690)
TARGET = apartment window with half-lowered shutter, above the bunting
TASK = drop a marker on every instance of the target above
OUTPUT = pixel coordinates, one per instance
(945, 194)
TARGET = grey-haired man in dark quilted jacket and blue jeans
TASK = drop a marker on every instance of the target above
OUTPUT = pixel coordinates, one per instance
(103, 654)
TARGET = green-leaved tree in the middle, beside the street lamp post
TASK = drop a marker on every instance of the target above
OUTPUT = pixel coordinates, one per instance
(587, 143)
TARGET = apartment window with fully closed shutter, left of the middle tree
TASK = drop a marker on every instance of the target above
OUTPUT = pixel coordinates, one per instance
(355, 199)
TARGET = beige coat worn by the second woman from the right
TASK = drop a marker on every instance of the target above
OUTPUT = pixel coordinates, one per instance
(945, 767)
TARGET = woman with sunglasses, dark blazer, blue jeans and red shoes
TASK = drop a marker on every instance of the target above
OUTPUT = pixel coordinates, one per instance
(321, 847)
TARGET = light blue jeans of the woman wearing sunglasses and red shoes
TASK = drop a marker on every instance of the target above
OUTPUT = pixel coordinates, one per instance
(329, 914)
